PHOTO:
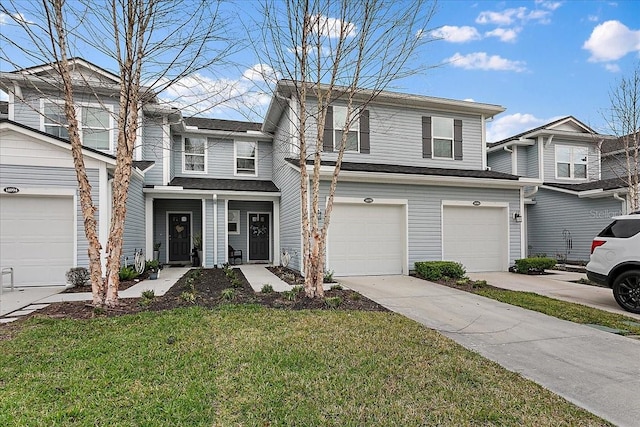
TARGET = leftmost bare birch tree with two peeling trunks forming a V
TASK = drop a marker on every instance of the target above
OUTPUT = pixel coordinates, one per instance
(154, 44)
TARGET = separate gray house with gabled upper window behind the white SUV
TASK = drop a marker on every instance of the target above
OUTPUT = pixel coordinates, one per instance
(571, 201)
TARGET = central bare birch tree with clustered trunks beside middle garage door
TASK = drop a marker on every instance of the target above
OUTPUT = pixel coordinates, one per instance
(330, 51)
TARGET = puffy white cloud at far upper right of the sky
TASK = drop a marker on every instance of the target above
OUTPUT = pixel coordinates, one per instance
(612, 40)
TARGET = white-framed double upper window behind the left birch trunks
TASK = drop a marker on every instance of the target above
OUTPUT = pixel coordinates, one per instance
(95, 124)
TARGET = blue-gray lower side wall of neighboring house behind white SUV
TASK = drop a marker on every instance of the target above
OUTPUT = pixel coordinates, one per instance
(555, 212)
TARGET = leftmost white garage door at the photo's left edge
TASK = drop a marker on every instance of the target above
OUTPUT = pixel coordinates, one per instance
(37, 238)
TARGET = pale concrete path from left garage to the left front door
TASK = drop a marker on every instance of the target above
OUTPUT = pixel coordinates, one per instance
(25, 300)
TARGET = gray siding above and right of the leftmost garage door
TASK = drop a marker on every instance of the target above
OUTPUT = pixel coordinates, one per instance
(43, 177)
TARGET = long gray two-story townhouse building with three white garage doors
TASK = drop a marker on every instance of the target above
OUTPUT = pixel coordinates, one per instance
(414, 183)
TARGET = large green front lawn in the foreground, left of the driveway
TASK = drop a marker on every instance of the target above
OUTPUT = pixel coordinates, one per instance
(250, 366)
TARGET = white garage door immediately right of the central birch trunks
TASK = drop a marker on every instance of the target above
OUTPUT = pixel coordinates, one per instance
(366, 239)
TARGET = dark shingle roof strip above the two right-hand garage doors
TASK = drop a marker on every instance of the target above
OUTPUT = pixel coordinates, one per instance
(414, 170)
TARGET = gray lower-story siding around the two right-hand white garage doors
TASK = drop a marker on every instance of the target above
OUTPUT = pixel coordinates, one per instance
(425, 212)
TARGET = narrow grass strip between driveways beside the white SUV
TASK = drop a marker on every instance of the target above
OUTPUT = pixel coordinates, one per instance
(573, 312)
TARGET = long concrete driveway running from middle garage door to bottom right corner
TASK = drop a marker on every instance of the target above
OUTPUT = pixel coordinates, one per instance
(596, 370)
